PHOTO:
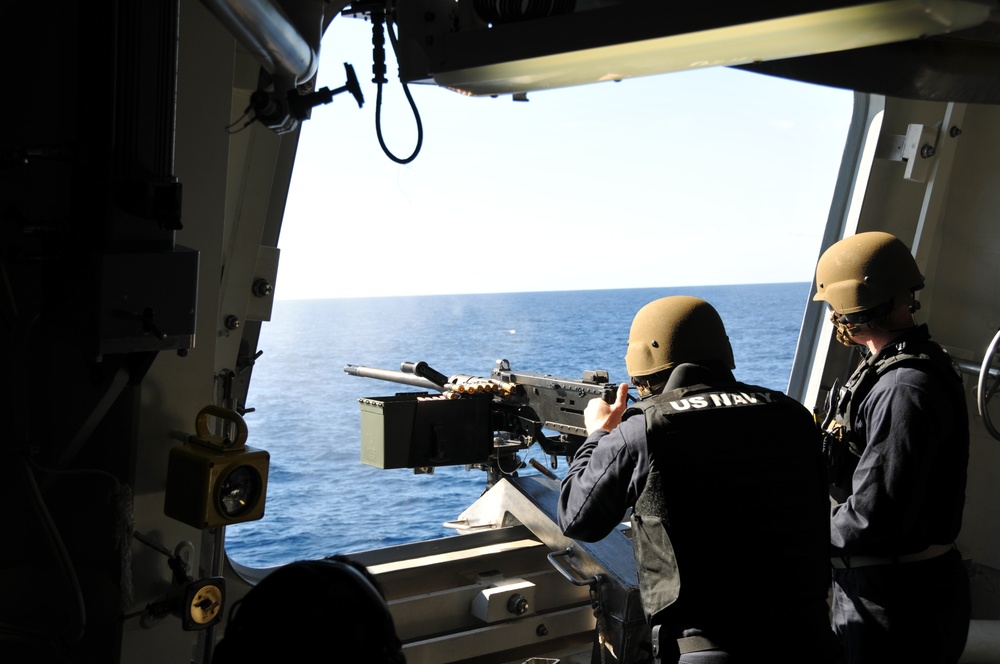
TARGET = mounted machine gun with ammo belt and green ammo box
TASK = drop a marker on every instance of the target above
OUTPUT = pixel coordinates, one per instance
(474, 421)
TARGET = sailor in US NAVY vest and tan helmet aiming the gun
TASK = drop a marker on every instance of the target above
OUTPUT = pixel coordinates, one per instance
(726, 485)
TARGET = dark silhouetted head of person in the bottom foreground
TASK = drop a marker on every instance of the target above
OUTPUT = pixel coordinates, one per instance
(300, 603)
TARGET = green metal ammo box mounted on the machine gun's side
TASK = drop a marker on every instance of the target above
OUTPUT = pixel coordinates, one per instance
(417, 430)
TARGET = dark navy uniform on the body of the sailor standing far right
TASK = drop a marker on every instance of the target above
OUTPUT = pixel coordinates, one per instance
(901, 592)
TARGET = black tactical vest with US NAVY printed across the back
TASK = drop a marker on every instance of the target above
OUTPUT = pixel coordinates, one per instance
(735, 483)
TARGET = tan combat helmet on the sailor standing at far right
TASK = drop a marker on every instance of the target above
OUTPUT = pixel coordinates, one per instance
(864, 271)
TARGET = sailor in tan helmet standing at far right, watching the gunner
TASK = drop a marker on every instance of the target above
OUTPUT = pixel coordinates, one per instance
(898, 447)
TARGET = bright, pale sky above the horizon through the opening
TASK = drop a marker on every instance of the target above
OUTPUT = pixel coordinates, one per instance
(714, 176)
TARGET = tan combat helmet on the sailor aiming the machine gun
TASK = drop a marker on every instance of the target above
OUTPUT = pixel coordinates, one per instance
(675, 330)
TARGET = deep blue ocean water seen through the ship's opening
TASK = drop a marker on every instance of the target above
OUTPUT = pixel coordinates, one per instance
(321, 500)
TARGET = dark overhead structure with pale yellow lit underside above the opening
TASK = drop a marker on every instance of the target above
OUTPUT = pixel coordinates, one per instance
(928, 49)
